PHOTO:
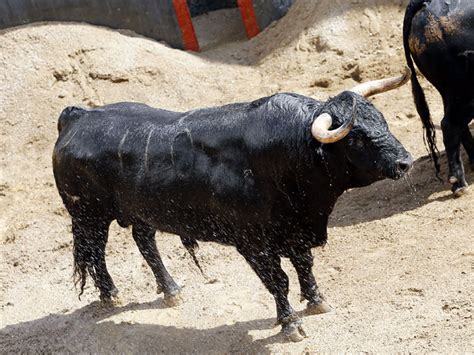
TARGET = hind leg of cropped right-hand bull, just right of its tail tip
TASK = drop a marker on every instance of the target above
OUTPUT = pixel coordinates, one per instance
(452, 137)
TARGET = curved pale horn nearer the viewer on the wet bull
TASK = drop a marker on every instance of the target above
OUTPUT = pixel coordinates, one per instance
(322, 123)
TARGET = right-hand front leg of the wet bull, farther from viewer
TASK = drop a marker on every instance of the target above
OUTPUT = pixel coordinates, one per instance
(302, 260)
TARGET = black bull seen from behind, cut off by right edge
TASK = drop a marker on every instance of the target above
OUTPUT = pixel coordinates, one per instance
(439, 36)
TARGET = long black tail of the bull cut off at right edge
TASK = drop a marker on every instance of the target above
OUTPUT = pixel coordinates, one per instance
(418, 94)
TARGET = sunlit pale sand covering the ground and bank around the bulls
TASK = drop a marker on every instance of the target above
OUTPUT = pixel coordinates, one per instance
(417, 294)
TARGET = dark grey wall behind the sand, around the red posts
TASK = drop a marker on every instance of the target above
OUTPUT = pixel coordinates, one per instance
(151, 18)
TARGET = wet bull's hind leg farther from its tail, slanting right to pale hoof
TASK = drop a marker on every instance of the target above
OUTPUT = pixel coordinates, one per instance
(144, 236)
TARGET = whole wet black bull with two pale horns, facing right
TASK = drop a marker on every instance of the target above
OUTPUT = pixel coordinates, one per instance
(262, 176)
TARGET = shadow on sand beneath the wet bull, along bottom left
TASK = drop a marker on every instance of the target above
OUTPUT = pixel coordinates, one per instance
(87, 330)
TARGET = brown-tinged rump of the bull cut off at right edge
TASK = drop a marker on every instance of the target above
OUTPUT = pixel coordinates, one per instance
(442, 45)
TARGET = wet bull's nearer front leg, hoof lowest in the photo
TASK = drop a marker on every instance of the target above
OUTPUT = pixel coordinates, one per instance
(266, 265)
